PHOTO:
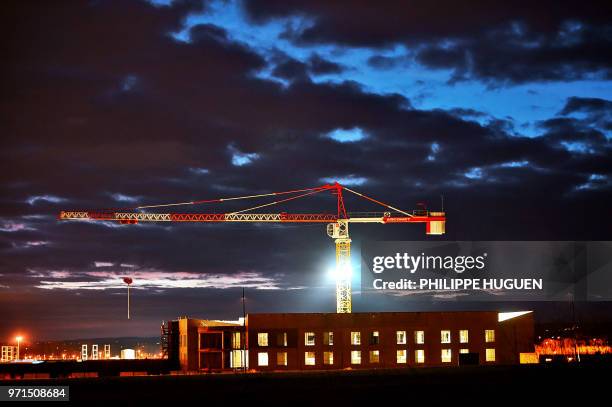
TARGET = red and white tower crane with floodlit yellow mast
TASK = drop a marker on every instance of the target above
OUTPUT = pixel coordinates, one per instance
(337, 223)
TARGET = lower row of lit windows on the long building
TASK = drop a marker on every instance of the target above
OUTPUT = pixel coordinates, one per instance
(374, 357)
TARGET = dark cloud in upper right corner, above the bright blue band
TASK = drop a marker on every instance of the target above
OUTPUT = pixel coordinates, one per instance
(490, 41)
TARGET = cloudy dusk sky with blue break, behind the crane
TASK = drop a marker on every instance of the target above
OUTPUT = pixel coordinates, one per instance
(504, 109)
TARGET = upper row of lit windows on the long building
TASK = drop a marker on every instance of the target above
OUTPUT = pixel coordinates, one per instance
(401, 337)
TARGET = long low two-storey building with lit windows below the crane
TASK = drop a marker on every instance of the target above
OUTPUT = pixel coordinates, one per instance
(324, 341)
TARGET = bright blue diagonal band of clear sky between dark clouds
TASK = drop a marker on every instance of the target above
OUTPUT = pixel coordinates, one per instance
(524, 104)
